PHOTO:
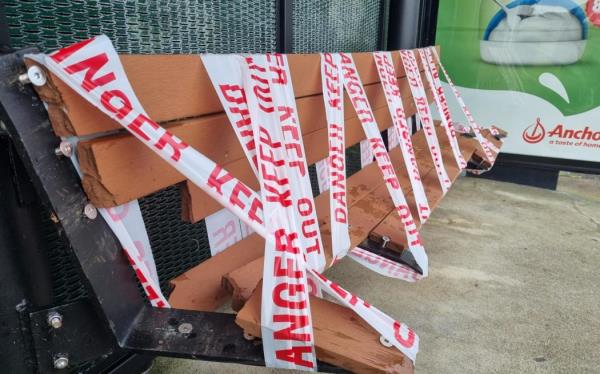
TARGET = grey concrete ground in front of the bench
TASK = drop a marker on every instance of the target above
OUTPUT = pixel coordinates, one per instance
(514, 285)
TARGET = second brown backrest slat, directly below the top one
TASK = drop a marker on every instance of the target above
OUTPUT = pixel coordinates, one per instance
(109, 164)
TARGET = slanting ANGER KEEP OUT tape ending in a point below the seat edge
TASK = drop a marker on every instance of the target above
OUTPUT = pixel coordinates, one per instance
(361, 105)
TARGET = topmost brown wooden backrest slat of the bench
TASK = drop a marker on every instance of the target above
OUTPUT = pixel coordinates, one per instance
(173, 87)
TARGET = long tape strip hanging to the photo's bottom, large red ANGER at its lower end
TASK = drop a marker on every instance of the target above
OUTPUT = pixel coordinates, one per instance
(286, 322)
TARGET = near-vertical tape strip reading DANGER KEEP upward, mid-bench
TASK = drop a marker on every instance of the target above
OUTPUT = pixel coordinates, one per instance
(333, 96)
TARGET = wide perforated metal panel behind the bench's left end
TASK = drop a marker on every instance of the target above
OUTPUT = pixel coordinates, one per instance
(138, 26)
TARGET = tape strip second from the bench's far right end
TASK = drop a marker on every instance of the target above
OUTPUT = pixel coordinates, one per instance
(433, 79)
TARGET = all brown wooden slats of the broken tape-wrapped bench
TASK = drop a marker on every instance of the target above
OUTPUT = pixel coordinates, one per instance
(181, 97)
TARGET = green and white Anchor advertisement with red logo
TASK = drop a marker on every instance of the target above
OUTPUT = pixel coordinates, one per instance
(531, 67)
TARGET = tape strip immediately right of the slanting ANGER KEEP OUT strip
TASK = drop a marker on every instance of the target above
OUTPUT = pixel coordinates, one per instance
(389, 82)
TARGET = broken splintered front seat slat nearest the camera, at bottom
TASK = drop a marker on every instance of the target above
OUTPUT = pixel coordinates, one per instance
(342, 338)
